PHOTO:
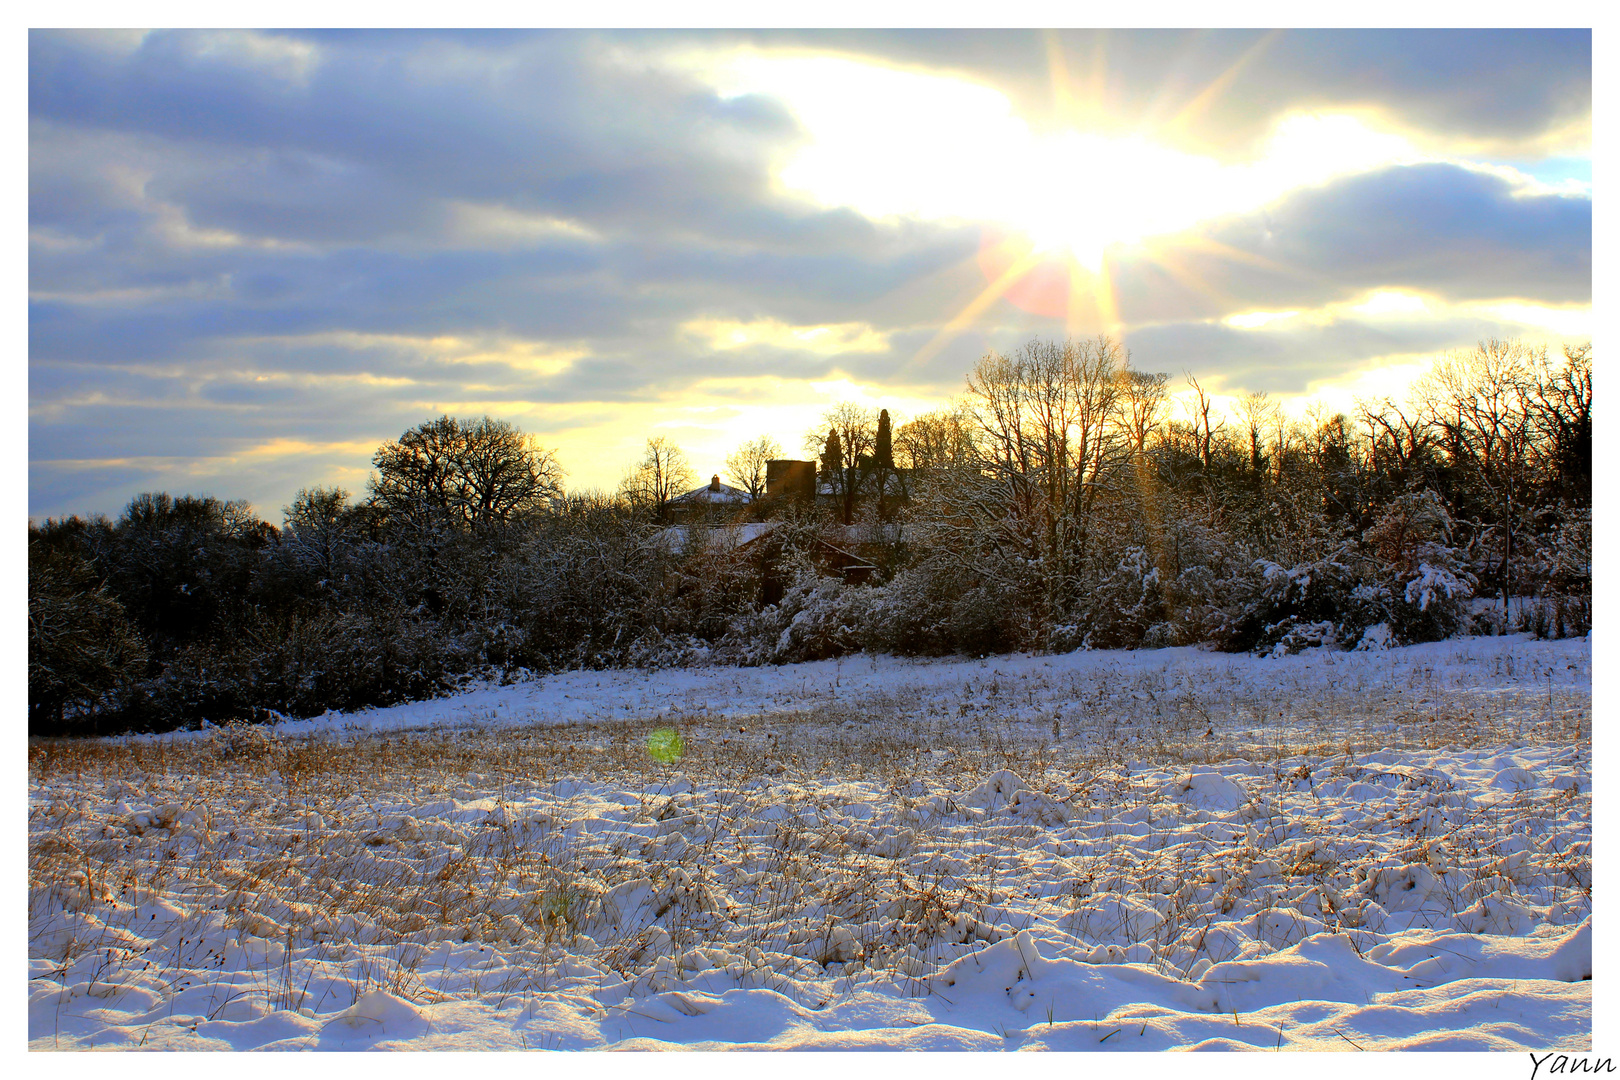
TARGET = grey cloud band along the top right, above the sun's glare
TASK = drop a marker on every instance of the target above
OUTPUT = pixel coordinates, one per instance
(1478, 90)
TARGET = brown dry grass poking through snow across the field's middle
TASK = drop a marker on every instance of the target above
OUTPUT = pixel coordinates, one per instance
(291, 859)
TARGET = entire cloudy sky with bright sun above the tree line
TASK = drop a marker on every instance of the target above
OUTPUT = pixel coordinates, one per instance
(257, 257)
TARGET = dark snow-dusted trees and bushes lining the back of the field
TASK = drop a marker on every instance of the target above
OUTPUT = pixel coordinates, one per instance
(1062, 501)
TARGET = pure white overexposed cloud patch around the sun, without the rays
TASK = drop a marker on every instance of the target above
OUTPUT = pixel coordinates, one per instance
(890, 142)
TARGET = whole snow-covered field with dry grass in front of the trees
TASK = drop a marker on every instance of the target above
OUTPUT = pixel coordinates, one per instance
(1101, 851)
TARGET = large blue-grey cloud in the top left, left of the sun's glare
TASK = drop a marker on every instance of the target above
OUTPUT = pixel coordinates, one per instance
(375, 140)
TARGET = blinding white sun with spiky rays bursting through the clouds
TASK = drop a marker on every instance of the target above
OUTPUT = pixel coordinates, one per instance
(1060, 206)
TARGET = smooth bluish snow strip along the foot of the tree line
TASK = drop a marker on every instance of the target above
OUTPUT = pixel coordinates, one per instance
(1031, 689)
